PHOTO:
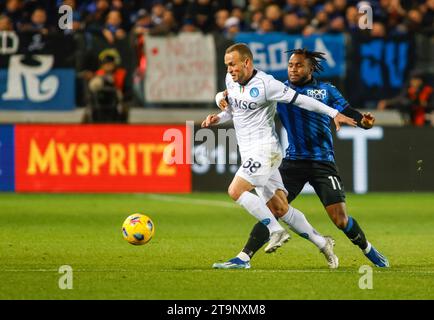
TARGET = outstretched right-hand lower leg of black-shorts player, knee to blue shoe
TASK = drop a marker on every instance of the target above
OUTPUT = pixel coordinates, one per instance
(338, 214)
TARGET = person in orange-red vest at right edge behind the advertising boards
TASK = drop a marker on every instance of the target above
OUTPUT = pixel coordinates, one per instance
(415, 101)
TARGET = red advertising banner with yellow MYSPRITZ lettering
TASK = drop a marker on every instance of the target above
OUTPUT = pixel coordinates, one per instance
(102, 158)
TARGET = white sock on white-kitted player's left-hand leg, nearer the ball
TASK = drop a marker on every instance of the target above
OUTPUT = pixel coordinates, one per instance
(257, 208)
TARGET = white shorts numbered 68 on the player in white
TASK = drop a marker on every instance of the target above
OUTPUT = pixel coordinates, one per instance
(263, 173)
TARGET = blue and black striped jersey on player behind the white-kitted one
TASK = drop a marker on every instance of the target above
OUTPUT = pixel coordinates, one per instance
(309, 133)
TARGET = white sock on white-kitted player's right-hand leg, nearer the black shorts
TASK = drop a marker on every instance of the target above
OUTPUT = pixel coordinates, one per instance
(298, 223)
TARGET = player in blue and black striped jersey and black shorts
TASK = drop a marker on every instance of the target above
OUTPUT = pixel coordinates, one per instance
(310, 155)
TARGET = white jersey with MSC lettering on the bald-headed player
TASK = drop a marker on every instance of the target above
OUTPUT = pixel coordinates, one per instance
(253, 108)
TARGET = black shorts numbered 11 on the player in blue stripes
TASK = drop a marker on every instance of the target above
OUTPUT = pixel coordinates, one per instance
(322, 175)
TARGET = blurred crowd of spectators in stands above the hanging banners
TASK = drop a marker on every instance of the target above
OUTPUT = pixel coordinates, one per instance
(115, 18)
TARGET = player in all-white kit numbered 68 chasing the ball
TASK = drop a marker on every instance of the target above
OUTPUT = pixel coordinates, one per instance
(253, 97)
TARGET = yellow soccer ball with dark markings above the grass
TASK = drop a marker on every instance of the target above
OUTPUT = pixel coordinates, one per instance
(138, 229)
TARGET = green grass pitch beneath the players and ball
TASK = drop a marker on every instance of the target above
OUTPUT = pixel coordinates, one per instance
(41, 232)
